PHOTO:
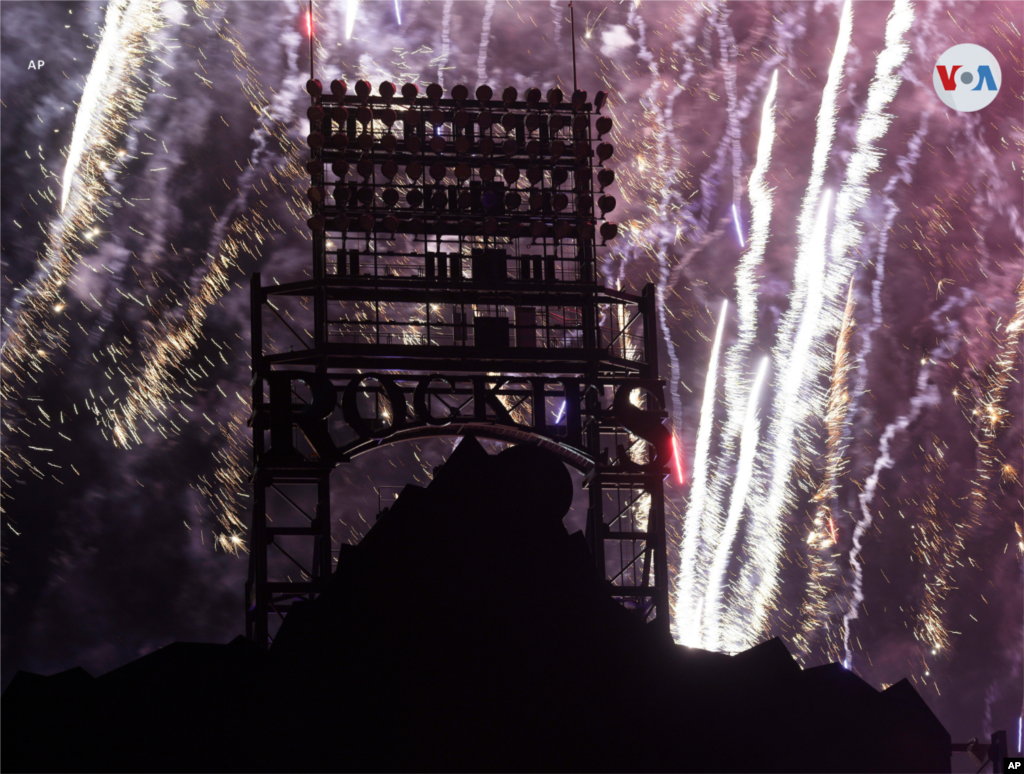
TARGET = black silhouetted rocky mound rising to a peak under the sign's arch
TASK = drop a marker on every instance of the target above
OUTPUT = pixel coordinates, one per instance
(467, 632)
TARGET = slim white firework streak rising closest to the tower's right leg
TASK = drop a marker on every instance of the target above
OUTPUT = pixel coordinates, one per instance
(693, 580)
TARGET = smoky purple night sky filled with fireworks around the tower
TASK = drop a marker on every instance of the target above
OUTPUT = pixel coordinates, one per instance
(154, 161)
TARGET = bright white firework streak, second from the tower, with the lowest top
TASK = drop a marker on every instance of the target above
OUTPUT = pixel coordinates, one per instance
(723, 549)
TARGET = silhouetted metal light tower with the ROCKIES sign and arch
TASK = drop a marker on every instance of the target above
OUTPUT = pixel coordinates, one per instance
(454, 290)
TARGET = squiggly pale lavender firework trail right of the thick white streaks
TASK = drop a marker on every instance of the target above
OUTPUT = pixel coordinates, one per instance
(926, 395)
